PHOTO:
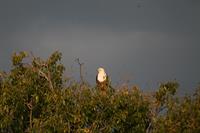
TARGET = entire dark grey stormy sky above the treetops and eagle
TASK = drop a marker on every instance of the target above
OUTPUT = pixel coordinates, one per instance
(145, 41)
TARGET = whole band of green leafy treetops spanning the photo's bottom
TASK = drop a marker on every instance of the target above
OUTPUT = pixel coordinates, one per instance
(34, 97)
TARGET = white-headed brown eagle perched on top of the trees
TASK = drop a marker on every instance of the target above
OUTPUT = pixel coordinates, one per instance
(102, 80)
